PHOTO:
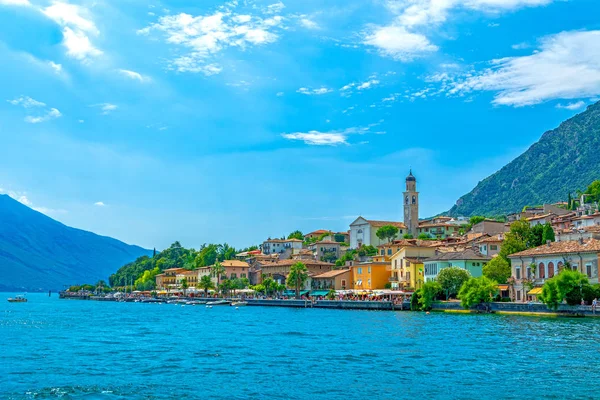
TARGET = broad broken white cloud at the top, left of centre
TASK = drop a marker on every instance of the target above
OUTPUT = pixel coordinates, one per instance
(204, 36)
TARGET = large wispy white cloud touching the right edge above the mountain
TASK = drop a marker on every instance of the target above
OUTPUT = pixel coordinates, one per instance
(566, 66)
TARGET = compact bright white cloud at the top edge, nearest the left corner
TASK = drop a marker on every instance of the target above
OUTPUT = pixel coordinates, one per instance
(77, 26)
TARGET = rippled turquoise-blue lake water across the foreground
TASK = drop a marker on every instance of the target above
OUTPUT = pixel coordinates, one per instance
(71, 349)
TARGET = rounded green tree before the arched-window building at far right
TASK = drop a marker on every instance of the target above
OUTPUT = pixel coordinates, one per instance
(567, 285)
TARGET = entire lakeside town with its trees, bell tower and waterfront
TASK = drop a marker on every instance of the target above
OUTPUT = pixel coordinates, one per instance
(543, 254)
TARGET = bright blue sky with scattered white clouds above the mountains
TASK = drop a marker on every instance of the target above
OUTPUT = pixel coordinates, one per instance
(212, 122)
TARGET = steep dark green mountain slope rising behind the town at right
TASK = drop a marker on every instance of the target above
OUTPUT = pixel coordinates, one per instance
(564, 160)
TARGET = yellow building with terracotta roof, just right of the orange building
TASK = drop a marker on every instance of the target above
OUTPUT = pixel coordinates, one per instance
(407, 269)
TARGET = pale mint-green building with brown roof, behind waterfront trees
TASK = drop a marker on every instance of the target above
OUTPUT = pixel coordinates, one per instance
(468, 259)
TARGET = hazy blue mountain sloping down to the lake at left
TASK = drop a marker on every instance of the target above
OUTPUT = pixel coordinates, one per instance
(37, 252)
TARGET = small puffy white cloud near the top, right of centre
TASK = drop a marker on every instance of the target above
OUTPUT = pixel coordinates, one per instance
(398, 43)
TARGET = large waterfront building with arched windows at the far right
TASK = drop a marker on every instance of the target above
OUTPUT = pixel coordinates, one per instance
(537, 265)
